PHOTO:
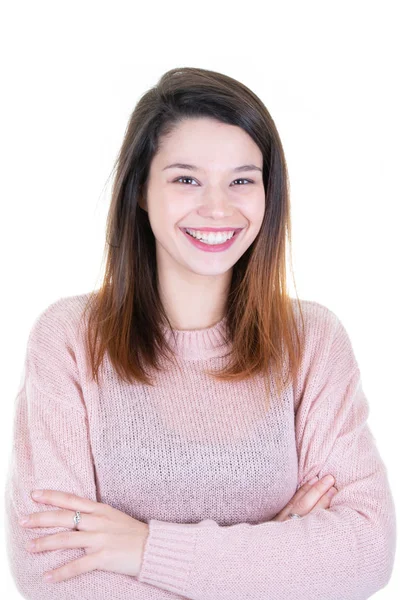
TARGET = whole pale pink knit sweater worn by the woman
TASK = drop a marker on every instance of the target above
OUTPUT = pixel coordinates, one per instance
(206, 466)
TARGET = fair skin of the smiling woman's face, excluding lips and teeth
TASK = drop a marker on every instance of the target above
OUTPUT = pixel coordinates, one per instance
(213, 193)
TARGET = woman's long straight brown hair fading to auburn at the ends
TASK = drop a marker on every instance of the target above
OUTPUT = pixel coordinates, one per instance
(126, 313)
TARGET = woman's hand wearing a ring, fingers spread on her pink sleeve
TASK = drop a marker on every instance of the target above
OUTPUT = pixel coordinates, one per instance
(113, 540)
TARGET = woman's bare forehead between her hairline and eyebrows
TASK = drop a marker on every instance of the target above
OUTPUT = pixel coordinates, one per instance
(205, 141)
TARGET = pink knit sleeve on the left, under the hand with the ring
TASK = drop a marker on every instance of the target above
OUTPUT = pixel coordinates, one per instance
(51, 450)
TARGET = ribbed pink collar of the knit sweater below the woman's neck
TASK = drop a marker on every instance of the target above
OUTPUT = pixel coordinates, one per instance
(198, 344)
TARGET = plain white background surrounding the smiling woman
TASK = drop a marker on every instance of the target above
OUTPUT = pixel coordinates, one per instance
(328, 73)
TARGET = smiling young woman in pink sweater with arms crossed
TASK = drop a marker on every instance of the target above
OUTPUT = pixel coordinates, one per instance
(182, 418)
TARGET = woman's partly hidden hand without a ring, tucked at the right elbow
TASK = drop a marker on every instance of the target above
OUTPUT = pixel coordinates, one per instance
(307, 498)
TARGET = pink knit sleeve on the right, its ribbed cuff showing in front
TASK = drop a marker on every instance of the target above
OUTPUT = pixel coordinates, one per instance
(346, 551)
